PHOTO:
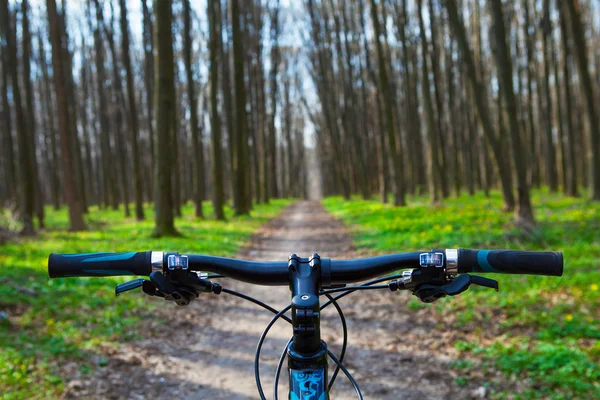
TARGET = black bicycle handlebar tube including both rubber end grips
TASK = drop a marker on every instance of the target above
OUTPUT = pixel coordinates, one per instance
(333, 272)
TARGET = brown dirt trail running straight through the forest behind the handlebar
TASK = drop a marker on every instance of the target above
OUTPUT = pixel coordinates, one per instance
(206, 351)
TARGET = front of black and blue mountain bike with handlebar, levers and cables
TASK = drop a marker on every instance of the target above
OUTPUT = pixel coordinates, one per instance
(430, 276)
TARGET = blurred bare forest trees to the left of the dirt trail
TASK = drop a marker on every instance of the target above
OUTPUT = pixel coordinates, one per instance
(190, 112)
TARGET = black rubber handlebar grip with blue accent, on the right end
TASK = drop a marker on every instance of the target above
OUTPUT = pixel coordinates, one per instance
(511, 262)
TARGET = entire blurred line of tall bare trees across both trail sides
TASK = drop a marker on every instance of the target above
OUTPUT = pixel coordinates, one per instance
(404, 98)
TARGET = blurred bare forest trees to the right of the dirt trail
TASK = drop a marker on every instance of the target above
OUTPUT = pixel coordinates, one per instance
(445, 96)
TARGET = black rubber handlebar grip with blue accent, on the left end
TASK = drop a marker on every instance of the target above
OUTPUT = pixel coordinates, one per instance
(99, 264)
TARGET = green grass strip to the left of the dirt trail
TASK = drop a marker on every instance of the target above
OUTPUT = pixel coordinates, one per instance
(70, 319)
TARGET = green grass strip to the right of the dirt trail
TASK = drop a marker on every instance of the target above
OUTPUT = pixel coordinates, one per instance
(541, 331)
